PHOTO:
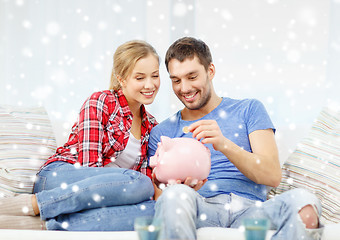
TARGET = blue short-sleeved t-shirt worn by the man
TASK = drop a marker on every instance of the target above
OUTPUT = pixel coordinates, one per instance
(236, 119)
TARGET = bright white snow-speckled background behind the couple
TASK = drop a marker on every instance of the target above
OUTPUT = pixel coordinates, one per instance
(286, 53)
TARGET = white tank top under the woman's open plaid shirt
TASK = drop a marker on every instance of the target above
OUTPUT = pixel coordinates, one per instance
(129, 156)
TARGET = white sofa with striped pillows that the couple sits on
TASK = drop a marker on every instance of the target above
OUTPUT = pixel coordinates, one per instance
(27, 139)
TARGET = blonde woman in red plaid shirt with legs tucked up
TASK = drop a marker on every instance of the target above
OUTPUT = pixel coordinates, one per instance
(88, 184)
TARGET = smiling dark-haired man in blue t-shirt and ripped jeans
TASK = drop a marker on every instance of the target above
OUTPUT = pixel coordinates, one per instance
(244, 157)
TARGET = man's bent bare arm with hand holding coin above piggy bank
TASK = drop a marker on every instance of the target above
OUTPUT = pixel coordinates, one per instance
(261, 166)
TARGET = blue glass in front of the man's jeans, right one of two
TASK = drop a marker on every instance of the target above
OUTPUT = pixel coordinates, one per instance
(256, 229)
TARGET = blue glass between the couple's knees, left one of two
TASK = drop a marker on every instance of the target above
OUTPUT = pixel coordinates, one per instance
(148, 228)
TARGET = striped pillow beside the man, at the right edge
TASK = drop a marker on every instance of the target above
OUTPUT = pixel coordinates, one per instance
(315, 165)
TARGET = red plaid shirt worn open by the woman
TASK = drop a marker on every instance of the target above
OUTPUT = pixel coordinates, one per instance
(102, 133)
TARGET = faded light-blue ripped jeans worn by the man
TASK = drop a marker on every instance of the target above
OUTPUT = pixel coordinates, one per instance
(183, 210)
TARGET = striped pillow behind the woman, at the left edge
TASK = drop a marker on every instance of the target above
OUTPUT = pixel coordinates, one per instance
(26, 141)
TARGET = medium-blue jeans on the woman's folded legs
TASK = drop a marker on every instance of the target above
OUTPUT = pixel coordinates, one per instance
(99, 199)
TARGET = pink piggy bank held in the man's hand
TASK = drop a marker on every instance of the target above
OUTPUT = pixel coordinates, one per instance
(179, 158)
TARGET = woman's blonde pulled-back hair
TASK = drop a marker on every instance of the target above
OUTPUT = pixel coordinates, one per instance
(125, 58)
